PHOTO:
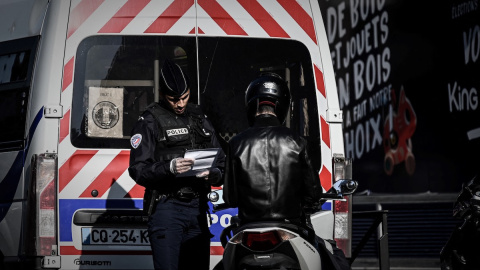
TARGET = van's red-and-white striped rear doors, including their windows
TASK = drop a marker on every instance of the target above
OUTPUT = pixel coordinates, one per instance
(113, 52)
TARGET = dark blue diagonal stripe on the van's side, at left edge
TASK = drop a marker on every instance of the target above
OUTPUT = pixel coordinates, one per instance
(9, 184)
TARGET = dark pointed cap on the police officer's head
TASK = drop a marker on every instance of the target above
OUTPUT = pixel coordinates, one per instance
(173, 81)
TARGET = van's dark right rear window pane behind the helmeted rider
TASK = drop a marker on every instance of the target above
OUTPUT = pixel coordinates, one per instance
(228, 65)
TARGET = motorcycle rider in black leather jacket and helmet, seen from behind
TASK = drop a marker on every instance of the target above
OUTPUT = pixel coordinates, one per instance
(269, 176)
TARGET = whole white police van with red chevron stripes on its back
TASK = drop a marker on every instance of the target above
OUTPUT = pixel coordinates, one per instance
(76, 74)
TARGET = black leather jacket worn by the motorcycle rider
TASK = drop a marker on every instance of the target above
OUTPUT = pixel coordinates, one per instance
(268, 174)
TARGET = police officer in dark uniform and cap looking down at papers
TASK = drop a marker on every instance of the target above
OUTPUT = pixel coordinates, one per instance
(177, 206)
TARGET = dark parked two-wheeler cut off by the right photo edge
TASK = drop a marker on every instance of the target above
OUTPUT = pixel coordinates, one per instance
(462, 250)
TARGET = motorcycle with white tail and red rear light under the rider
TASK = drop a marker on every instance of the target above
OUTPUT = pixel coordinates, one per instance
(281, 245)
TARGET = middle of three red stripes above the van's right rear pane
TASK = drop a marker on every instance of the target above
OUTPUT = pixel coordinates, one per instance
(263, 18)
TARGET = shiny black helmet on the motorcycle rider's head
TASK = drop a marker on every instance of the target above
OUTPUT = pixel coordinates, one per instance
(269, 88)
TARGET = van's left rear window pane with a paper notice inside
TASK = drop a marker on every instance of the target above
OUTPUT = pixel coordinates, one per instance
(115, 80)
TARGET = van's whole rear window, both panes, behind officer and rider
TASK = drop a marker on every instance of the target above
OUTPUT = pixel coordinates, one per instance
(115, 79)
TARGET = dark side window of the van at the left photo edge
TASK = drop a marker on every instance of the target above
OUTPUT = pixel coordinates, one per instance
(16, 64)
